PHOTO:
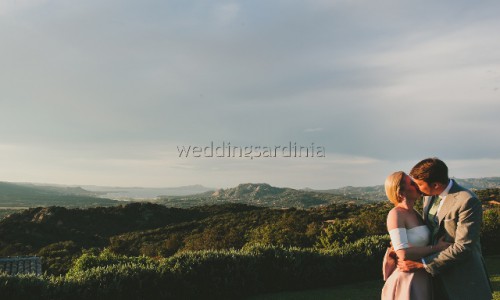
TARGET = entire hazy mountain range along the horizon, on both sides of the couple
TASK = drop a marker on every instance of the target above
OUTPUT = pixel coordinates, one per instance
(261, 194)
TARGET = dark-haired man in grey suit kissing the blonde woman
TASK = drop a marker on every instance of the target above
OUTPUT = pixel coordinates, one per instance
(455, 213)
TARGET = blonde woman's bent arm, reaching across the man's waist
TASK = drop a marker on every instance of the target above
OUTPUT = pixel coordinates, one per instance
(399, 239)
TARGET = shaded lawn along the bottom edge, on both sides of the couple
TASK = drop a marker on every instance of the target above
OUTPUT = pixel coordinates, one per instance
(370, 289)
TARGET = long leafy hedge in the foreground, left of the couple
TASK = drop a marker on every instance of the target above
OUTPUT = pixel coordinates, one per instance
(224, 274)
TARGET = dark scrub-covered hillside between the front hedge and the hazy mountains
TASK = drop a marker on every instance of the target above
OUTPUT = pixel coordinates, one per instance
(60, 234)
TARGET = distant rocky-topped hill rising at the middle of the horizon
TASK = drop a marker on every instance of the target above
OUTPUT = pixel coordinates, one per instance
(260, 194)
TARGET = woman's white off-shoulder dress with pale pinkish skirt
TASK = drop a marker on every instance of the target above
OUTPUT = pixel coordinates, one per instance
(408, 285)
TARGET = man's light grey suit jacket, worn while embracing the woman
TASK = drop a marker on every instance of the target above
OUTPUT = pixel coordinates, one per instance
(460, 268)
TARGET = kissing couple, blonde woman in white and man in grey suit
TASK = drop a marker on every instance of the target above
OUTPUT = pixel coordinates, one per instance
(436, 254)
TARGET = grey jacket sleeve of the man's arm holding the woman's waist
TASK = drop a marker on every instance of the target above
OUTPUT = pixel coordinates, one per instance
(468, 226)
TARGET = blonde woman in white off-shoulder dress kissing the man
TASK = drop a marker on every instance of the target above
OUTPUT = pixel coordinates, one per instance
(410, 239)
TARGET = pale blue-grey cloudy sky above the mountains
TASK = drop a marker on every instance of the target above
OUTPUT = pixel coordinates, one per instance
(110, 92)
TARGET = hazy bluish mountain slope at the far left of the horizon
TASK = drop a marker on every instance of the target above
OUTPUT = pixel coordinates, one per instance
(32, 195)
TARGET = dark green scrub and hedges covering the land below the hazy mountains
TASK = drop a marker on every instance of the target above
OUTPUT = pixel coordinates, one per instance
(225, 251)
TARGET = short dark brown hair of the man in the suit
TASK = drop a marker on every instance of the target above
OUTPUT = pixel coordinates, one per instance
(430, 170)
